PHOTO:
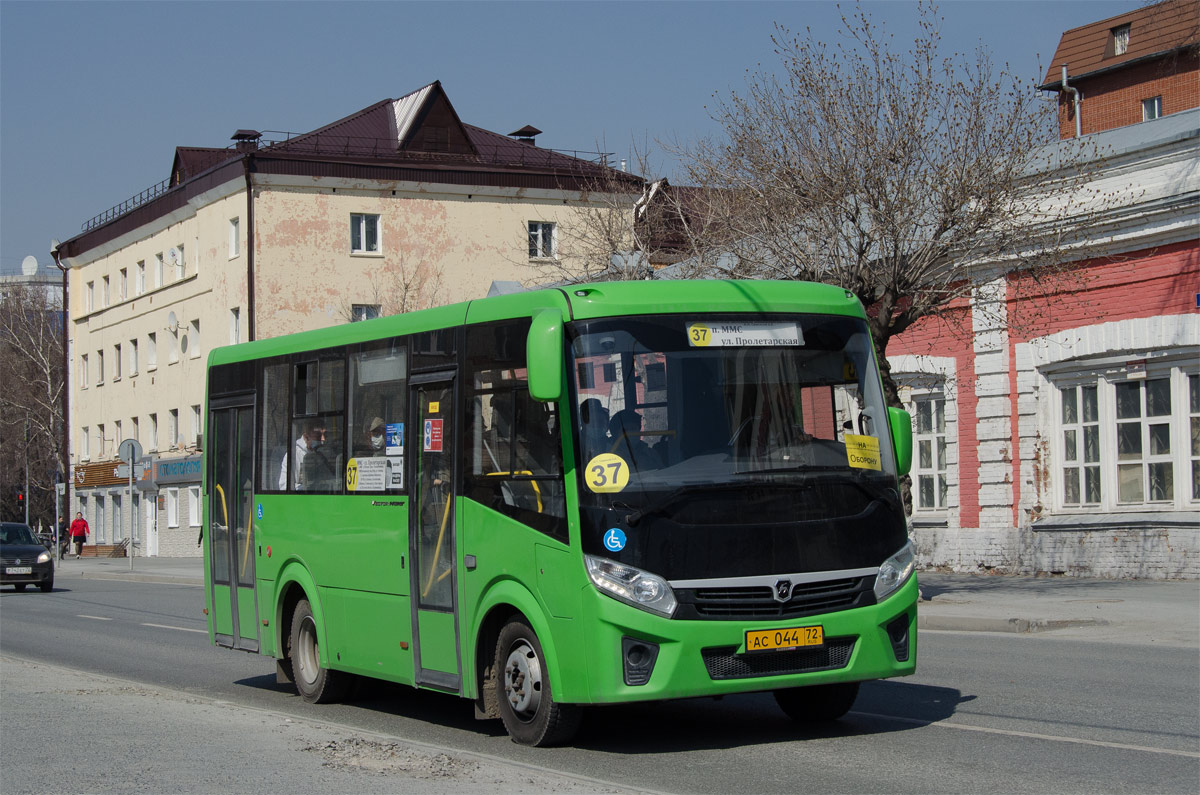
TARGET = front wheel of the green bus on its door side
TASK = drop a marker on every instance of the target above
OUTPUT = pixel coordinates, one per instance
(527, 704)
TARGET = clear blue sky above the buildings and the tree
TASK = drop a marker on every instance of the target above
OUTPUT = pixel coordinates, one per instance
(95, 97)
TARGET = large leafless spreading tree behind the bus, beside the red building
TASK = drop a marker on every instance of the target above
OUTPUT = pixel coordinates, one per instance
(909, 178)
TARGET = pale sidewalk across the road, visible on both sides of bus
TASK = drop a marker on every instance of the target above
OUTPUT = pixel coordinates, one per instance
(1151, 612)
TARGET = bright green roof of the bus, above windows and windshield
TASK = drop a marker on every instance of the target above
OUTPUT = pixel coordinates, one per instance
(575, 302)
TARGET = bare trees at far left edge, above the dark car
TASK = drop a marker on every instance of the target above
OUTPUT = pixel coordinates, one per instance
(31, 399)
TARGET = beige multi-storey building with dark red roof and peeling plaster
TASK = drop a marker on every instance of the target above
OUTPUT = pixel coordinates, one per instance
(398, 207)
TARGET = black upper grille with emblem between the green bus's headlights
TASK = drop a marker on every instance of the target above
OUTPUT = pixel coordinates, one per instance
(758, 602)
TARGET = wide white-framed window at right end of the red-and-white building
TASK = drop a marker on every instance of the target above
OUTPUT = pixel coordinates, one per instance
(1130, 440)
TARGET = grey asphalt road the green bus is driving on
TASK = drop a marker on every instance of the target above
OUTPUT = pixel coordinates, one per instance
(986, 713)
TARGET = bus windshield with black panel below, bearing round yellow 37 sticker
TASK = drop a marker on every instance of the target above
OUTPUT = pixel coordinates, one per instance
(733, 446)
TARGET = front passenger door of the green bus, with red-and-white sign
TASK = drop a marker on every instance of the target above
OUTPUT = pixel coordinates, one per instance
(433, 537)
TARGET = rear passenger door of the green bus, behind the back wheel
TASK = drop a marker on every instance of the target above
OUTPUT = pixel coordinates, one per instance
(231, 527)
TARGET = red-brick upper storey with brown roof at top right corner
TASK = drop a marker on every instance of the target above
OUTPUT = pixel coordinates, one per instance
(1138, 67)
